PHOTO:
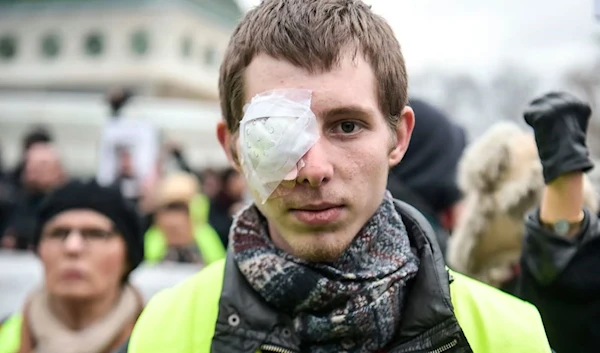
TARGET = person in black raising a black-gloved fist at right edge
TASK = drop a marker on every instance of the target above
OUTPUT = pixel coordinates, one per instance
(561, 255)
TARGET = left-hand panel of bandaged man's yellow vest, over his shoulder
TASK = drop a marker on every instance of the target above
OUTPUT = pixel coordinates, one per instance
(188, 309)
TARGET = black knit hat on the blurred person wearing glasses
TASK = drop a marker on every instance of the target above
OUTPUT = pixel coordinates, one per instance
(105, 200)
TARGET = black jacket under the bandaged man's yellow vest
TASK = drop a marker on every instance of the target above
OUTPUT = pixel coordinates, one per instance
(428, 322)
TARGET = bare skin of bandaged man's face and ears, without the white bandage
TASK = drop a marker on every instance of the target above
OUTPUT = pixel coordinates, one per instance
(345, 174)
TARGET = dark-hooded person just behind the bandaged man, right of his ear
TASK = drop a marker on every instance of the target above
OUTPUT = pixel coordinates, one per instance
(426, 176)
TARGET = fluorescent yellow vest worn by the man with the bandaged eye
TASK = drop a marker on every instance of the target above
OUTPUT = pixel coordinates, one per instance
(182, 319)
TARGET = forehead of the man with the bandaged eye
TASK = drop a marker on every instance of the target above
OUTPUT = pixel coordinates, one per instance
(351, 83)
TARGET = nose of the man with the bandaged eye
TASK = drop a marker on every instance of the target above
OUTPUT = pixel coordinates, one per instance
(317, 167)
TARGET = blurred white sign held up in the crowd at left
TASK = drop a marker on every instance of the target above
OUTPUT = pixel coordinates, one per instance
(129, 147)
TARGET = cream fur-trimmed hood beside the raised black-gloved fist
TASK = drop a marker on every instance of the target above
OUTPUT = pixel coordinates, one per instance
(501, 177)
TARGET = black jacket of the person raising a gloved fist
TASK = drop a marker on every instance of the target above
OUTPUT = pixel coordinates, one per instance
(562, 278)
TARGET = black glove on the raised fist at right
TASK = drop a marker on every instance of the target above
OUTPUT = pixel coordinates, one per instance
(560, 123)
